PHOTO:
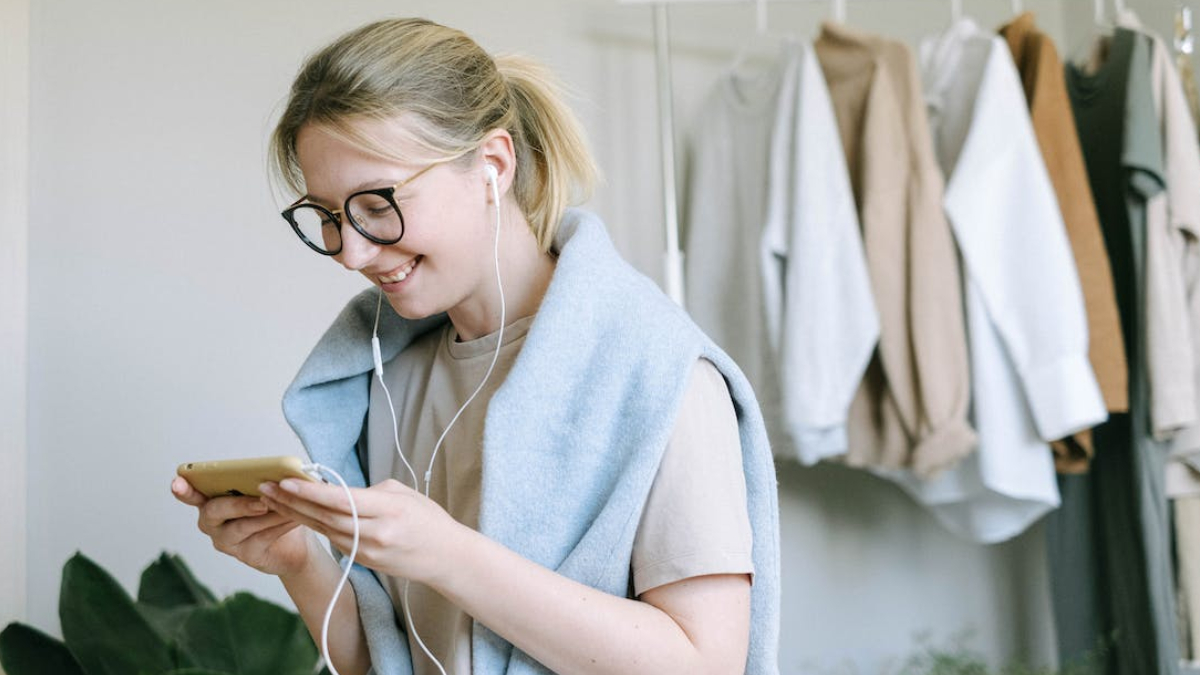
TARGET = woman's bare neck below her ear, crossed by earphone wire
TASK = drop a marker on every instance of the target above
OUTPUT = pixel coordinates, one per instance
(526, 273)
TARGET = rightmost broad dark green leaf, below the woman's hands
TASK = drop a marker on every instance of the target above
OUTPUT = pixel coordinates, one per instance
(249, 636)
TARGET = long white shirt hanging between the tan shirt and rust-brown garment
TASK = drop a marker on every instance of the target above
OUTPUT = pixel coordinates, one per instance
(1027, 325)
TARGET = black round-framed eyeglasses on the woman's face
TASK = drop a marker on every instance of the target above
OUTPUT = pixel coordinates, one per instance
(373, 213)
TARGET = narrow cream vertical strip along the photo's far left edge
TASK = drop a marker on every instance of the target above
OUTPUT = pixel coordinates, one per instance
(14, 301)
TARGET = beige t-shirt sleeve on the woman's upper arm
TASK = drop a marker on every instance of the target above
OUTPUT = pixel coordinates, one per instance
(697, 522)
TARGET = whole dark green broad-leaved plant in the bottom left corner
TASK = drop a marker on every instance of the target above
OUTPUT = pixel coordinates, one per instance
(175, 628)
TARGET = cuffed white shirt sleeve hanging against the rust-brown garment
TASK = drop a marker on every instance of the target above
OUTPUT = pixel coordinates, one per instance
(1016, 252)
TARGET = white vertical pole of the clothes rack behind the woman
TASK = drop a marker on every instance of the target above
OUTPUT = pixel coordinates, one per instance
(673, 259)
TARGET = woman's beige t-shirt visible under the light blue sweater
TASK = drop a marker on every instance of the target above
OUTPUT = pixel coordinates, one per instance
(695, 521)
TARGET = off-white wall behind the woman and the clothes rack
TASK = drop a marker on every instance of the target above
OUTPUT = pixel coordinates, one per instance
(170, 306)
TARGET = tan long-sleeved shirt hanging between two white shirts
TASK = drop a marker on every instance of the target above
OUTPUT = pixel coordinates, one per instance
(911, 409)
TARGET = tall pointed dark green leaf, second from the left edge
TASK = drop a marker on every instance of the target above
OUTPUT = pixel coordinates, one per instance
(103, 628)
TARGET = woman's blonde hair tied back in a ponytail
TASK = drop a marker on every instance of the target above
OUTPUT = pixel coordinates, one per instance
(451, 94)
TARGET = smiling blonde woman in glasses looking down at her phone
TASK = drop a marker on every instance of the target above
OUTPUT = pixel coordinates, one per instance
(603, 504)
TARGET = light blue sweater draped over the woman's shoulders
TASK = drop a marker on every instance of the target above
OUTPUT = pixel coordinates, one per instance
(573, 438)
